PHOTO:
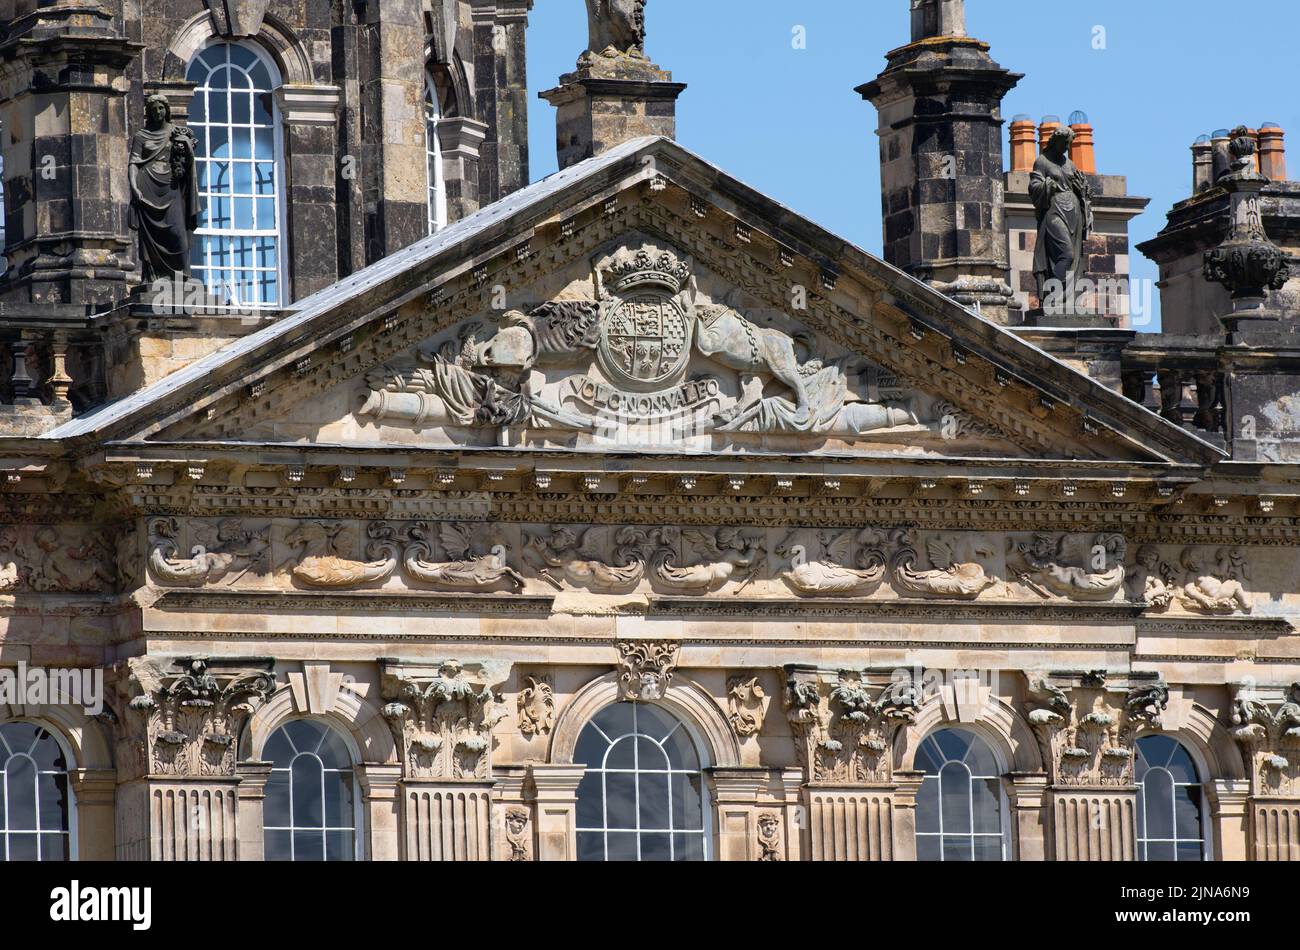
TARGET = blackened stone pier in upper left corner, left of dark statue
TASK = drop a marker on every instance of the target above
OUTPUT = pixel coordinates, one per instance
(63, 106)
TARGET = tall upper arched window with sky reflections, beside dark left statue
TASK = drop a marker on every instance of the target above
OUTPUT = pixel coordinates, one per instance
(237, 250)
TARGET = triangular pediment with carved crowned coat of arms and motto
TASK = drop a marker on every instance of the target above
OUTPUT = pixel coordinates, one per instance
(644, 302)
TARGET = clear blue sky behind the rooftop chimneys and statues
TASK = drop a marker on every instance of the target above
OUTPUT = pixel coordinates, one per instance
(788, 123)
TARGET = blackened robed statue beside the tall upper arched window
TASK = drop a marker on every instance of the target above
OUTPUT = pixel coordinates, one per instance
(166, 203)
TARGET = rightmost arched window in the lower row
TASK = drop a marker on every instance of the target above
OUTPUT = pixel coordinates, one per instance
(1169, 802)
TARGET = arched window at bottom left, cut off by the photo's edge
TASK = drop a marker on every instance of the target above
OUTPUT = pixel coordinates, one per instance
(34, 799)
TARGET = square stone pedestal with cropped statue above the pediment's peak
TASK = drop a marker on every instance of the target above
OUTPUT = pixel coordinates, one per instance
(617, 93)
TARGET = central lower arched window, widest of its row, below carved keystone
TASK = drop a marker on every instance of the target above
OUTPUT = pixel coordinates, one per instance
(643, 795)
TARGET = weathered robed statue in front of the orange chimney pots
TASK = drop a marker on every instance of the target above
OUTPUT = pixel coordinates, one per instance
(1063, 201)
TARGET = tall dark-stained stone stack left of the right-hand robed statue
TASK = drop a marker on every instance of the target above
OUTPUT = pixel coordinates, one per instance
(941, 131)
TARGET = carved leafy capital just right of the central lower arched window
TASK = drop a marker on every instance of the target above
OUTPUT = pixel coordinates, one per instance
(846, 723)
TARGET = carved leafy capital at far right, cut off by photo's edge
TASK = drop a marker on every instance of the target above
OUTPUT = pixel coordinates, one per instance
(1267, 725)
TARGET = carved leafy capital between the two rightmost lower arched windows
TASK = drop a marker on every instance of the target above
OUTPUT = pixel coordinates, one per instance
(1087, 723)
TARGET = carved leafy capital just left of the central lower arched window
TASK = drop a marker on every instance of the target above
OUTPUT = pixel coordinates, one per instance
(444, 715)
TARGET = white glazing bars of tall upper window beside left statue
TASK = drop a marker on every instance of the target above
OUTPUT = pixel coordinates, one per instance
(279, 233)
